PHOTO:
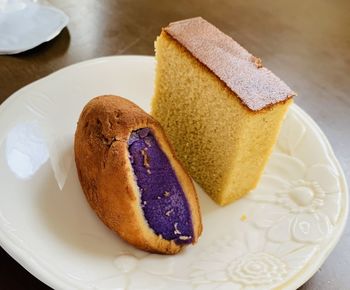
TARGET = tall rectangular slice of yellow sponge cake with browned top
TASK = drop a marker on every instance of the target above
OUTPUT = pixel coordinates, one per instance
(219, 106)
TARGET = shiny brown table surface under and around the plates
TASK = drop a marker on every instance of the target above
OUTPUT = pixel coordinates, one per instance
(306, 43)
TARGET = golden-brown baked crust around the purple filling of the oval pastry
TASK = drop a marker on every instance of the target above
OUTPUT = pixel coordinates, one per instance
(106, 176)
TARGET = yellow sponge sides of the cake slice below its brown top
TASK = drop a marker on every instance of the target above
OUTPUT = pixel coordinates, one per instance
(223, 144)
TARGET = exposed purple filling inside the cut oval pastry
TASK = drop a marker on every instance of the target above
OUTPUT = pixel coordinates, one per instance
(162, 199)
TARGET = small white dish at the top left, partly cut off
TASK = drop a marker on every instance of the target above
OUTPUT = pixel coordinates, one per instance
(25, 25)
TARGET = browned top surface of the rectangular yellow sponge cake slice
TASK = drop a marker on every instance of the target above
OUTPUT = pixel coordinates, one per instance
(256, 86)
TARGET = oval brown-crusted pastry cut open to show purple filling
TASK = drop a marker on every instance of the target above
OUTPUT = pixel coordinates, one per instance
(132, 179)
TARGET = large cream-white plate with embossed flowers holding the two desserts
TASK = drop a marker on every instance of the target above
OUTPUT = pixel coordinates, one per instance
(277, 236)
